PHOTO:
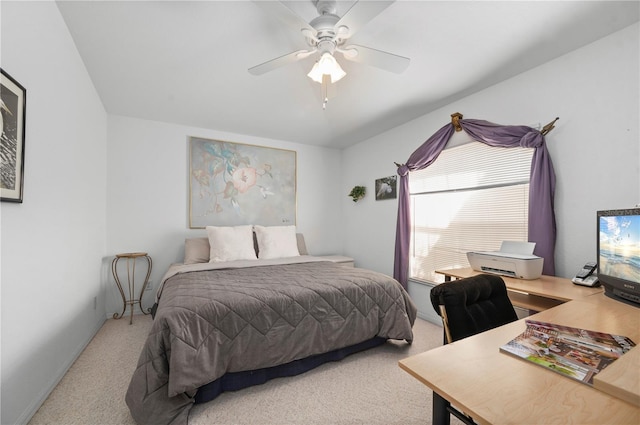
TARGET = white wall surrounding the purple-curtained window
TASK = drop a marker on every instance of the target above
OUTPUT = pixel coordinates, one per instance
(595, 147)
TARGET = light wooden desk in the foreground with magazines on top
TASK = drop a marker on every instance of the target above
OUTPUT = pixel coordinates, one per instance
(495, 388)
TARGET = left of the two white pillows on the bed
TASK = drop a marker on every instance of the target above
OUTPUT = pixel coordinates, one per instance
(230, 243)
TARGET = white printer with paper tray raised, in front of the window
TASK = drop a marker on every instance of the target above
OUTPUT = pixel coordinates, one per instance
(515, 259)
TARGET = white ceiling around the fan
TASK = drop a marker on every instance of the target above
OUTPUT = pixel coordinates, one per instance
(186, 62)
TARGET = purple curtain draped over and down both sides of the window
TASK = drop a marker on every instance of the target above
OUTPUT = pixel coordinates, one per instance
(542, 222)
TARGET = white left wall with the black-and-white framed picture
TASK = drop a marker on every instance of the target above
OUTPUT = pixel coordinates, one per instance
(52, 243)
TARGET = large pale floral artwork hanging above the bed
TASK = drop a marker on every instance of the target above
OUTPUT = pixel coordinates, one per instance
(233, 184)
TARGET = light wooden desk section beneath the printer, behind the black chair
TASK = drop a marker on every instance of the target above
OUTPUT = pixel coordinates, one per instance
(537, 294)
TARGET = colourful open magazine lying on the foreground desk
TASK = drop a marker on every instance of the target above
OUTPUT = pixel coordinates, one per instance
(577, 353)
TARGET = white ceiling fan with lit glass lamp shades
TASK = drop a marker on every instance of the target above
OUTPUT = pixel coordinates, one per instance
(329, 33)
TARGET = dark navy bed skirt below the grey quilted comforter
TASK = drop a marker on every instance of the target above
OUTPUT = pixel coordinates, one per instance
(234, 381)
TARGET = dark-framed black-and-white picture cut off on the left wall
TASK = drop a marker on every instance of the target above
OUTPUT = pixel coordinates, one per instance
(12, 124)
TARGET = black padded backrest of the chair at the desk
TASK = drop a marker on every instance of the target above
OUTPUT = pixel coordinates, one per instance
(472, 305)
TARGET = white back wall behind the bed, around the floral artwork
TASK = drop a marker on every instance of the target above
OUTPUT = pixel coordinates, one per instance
(147, 195)
